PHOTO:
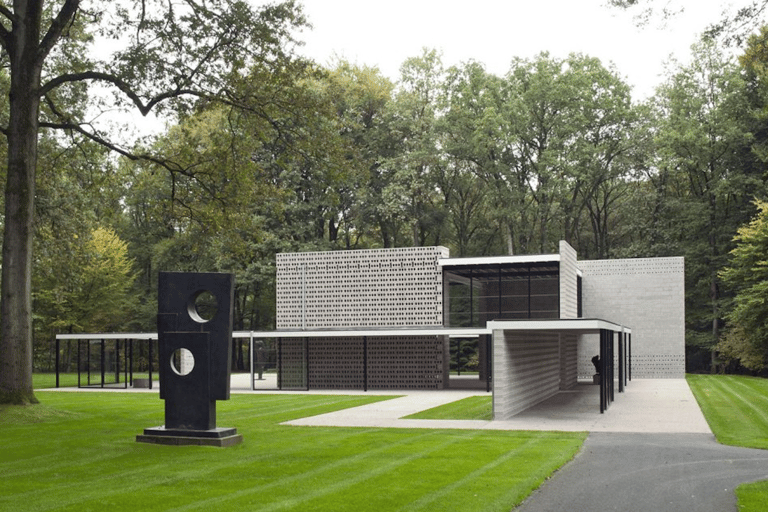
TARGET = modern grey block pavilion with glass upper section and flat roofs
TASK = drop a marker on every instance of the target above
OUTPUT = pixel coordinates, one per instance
(392, 318)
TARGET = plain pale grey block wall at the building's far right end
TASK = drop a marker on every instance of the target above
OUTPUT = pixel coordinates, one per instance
(647, 295)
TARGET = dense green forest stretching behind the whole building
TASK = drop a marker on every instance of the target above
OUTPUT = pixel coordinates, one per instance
(305, 157)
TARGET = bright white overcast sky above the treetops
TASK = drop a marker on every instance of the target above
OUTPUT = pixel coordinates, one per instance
(385, 33)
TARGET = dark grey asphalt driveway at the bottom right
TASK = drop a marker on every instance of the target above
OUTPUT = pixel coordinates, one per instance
(650, 472)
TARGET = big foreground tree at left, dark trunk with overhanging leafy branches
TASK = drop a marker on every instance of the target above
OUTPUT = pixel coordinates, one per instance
(168, 52)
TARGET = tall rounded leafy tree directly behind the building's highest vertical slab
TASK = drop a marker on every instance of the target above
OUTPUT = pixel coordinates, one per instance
(570, 128)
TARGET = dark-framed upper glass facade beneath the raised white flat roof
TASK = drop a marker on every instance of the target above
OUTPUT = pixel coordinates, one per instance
(505, 291)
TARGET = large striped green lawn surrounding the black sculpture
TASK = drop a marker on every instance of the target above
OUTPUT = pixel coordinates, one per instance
(77, 451)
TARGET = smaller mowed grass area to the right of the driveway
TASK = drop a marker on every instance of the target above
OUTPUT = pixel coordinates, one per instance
(736, 408)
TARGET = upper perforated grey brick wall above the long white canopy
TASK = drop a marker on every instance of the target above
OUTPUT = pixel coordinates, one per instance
(370, 288)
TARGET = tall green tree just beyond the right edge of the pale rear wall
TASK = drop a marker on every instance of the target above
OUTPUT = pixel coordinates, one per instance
(710, 174)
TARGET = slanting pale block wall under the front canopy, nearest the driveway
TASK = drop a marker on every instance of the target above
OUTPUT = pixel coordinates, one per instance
(527, 370)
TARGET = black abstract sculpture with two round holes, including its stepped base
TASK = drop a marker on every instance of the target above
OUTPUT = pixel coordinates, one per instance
(194, 327)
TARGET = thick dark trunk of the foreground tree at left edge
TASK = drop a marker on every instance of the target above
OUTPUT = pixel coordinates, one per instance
(15, 292)
